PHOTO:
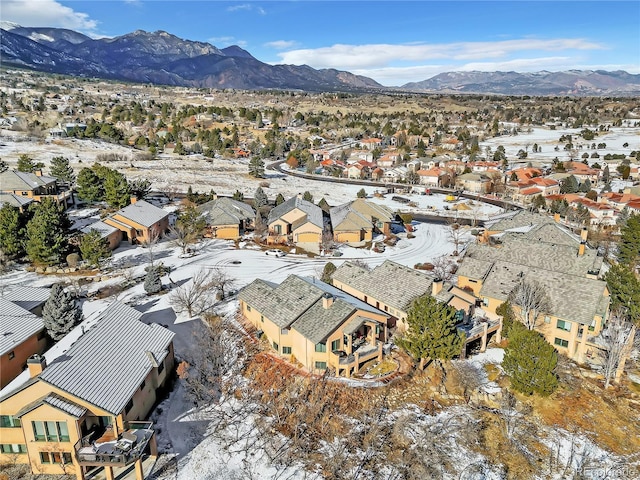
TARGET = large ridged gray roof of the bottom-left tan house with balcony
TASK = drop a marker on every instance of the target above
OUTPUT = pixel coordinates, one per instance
(108, 363)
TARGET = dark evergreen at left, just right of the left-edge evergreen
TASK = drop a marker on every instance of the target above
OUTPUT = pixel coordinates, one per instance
(47, 233)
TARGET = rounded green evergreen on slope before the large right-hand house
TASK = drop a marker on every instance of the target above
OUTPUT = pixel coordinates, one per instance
(530, 361)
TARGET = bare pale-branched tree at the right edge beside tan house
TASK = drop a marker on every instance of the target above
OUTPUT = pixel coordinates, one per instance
(617, 340)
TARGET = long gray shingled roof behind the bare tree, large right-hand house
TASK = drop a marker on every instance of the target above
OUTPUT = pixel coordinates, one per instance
(572, 297)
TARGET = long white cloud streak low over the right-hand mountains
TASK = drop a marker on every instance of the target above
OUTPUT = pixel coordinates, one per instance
(347, 57)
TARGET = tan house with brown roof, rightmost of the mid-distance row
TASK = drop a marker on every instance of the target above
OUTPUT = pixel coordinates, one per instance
(355, 222)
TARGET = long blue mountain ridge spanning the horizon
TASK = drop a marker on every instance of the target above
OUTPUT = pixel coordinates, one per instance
(163, 58)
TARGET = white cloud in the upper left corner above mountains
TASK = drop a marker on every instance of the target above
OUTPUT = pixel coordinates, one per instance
(47, 13)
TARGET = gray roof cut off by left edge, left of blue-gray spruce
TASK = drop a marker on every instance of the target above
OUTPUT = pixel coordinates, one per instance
(16, 325)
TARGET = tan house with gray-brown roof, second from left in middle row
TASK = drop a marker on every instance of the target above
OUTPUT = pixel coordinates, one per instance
(227, 218)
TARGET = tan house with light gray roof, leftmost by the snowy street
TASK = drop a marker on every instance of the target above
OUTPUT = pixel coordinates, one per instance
(139, 222)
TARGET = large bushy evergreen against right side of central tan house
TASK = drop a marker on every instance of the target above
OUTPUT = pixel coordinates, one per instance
(431, 331)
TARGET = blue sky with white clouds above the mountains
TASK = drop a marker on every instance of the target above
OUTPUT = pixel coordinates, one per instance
(393, 42)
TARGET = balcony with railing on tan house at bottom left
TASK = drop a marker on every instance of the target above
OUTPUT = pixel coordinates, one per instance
(124, 450)
